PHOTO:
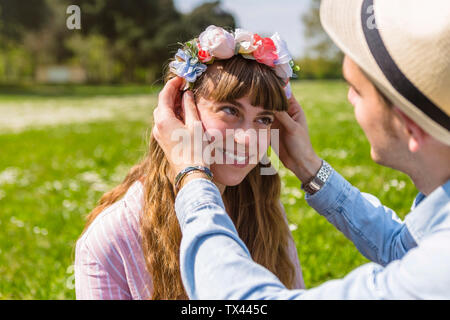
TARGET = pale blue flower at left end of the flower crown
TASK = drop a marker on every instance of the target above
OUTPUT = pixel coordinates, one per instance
(187, 66)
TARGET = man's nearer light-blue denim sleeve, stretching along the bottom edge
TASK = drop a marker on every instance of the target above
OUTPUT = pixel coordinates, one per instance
(215, 263)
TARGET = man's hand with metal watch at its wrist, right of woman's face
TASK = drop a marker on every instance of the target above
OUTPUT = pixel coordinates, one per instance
(296, 152)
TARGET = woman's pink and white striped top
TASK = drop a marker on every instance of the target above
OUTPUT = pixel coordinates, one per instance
(109, 262)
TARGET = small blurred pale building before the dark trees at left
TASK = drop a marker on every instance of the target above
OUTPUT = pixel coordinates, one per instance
(60, 74)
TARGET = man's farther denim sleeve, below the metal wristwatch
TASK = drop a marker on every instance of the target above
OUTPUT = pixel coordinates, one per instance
(375, 230)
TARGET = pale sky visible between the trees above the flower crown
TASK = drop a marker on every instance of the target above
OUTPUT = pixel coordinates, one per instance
(264, 17)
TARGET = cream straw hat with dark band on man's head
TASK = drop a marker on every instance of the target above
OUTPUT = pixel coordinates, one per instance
(403, 46)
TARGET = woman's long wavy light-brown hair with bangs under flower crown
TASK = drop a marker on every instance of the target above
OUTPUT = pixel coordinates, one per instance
(253, 205)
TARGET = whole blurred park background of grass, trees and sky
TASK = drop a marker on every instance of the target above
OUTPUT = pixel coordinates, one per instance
(77, 89)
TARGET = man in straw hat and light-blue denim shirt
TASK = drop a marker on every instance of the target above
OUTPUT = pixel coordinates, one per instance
(398, 68)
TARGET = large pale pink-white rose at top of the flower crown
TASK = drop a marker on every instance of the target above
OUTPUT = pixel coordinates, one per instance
(218, 42)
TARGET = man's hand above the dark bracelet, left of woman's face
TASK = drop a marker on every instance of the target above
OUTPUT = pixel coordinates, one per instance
(175, 137)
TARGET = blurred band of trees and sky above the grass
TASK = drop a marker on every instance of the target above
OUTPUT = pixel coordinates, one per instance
(130, 41)
